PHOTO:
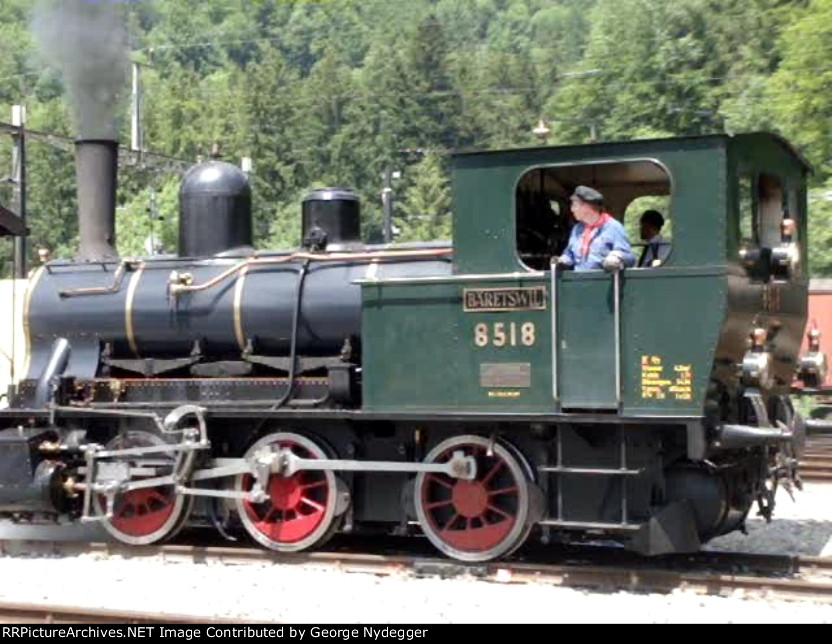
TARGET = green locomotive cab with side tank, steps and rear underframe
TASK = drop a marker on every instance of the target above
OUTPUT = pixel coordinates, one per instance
(630, 390)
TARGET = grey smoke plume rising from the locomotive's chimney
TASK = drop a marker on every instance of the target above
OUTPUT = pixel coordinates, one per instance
(85, 40)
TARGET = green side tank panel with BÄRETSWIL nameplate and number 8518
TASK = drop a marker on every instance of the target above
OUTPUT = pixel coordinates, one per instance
(424, 351)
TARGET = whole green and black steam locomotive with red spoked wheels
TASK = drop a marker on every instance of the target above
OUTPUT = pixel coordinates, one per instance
(469, 392)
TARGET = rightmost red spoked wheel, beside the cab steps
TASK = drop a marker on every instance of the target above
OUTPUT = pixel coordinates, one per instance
(480, 519)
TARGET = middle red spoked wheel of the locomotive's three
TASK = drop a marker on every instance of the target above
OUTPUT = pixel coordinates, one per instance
(301, 511)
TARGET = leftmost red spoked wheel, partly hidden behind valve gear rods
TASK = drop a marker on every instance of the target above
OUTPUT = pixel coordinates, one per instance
(146, 515)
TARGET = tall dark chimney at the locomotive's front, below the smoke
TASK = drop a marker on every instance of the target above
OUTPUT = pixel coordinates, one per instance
(96, 165)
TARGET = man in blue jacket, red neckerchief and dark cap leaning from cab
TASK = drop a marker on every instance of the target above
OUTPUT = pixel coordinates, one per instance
(598, 240)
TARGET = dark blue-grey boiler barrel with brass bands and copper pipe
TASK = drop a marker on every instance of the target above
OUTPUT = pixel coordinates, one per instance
(141, 319)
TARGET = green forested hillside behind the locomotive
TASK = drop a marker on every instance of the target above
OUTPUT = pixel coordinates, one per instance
(335, 93)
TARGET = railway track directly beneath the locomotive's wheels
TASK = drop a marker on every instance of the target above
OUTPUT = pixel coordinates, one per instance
(598, 569)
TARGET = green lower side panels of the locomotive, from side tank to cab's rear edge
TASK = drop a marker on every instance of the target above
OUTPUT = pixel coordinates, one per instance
(423, 353)
